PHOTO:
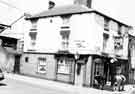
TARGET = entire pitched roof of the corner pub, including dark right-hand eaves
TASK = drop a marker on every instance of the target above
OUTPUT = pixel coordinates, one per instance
(69, 9)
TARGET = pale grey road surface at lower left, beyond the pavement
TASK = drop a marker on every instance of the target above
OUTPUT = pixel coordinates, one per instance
(10, 86)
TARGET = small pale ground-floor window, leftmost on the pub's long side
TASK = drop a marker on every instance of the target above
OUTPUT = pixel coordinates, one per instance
(42, 65)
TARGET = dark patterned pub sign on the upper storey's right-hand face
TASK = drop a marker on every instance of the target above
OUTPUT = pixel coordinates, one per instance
(118, 43)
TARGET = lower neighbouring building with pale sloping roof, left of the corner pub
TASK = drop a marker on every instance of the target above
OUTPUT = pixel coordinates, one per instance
(11, 44)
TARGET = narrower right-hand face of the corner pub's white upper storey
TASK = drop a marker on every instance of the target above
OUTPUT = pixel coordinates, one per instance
(114, 34)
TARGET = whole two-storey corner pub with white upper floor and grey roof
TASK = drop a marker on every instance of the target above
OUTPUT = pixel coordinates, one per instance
(73, 43)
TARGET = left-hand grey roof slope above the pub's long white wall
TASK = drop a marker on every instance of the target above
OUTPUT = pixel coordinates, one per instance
(62, 10)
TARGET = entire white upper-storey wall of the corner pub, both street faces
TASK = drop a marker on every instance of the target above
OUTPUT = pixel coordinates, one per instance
(86, 33)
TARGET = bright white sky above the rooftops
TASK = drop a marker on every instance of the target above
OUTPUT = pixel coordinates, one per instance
(119, 9)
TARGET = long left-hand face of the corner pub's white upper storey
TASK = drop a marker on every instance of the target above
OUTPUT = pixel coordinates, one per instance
(71, 32)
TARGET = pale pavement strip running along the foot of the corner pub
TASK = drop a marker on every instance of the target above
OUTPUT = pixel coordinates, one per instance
(129, 89)
